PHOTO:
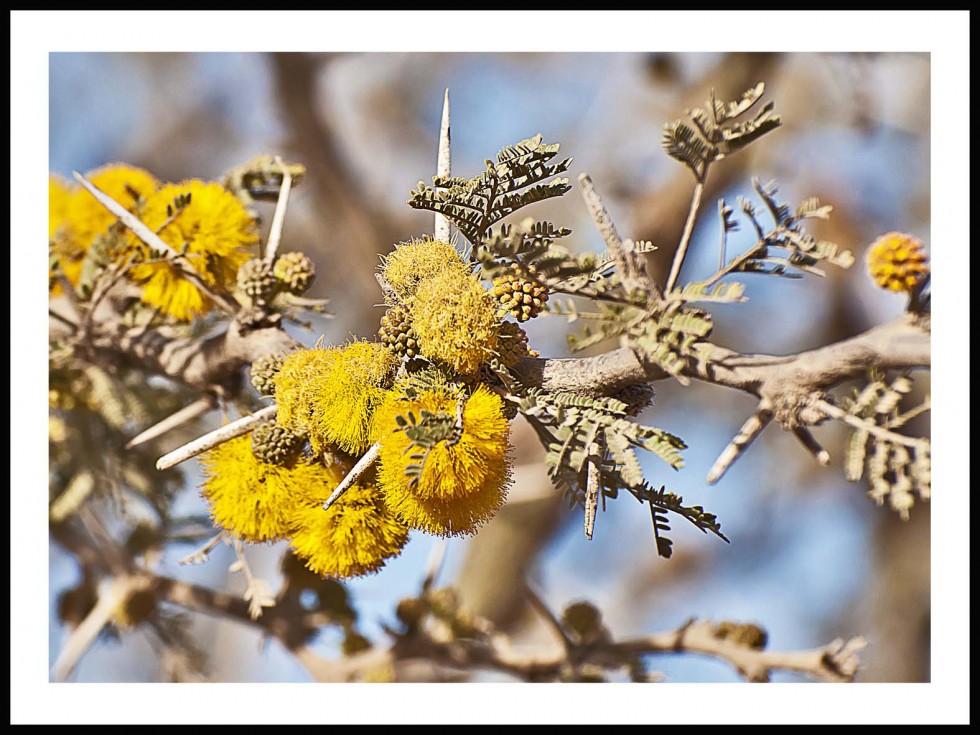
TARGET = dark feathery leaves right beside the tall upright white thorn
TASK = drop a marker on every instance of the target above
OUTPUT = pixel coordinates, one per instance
(520, 176)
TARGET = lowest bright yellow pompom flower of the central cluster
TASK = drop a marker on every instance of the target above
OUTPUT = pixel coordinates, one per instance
(355, 536)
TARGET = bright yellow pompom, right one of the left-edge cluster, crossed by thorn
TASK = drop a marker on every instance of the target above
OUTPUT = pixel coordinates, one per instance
(216, 230)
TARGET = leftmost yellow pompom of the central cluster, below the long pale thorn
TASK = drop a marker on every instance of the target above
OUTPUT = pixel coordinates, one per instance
(257, 501)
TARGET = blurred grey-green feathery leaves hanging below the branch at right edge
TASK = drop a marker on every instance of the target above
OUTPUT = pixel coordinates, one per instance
(898, 471)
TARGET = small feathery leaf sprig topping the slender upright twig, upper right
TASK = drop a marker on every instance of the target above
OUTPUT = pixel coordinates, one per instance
(719, 130)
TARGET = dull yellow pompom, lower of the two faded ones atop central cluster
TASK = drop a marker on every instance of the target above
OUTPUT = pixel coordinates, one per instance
(455, 319)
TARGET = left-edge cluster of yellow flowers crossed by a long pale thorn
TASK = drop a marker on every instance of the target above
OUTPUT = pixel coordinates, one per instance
(201, 220)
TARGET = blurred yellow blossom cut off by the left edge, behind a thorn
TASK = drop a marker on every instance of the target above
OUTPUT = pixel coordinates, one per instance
(76, 218)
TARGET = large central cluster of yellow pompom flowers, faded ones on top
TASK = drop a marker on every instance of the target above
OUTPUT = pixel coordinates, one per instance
(442, 462)
